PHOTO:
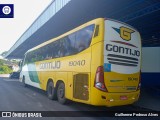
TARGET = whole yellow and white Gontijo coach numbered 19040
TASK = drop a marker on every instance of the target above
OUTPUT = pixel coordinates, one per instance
(97, 63)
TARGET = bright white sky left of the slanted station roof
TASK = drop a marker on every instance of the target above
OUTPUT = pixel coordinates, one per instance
(25, 12)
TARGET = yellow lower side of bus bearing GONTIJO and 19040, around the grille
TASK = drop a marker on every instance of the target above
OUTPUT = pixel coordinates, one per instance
(65, 69)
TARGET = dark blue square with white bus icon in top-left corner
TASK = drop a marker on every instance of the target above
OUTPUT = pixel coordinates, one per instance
(6, 10)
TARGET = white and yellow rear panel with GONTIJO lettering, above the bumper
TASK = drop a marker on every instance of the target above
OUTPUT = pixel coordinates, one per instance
(122, 57)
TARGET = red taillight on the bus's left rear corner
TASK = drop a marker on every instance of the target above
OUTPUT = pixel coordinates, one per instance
(99, 79)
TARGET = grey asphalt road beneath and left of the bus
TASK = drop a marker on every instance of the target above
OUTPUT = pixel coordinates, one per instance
(15, 97)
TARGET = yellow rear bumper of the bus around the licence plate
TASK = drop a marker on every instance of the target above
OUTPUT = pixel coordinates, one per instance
(113, 99)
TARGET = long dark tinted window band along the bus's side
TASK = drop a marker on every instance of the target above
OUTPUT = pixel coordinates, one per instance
(69, 45)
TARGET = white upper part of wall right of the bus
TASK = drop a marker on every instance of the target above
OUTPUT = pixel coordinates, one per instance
(151, 59)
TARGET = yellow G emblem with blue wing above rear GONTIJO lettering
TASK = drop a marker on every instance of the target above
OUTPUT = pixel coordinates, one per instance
(125, 33)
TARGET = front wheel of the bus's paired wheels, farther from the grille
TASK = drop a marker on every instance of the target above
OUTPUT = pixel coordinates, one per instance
(51, 91)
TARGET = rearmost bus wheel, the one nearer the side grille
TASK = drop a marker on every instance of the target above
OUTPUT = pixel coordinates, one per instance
(61, 93)
